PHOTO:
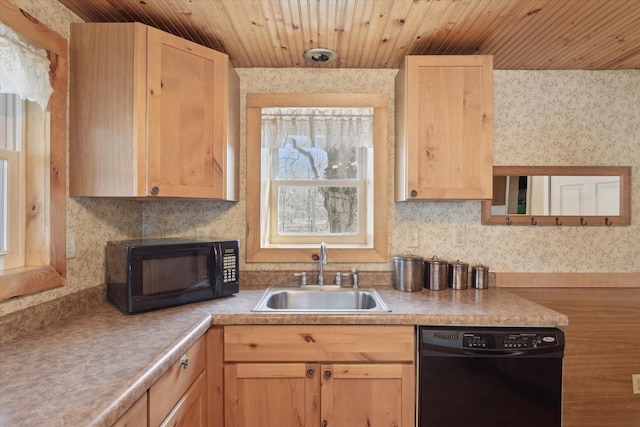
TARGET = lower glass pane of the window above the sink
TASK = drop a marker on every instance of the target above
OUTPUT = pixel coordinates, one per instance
(318, 210)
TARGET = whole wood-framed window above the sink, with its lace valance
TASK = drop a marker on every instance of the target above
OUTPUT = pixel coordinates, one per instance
(317, 173)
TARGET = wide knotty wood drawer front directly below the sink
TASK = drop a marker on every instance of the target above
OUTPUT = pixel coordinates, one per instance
(289, 343)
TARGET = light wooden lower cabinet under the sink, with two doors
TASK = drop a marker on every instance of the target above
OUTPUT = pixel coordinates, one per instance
(352, 376)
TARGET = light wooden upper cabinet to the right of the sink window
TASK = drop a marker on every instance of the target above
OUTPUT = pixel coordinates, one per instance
(444, 128)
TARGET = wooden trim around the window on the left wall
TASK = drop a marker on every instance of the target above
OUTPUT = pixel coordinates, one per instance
(31, 279)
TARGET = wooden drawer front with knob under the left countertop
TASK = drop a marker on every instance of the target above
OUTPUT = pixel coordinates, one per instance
(167, 391)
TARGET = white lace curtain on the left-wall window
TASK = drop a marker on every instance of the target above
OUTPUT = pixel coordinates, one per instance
(24, 69)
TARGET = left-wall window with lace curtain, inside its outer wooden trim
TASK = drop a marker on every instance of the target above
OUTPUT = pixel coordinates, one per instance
(25, 90)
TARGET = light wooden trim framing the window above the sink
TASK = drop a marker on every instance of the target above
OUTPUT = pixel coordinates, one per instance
(255, 102)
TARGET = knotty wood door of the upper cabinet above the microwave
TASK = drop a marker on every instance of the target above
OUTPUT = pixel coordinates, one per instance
(182, 117)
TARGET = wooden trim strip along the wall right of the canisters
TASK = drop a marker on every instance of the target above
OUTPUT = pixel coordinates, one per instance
(568, 280)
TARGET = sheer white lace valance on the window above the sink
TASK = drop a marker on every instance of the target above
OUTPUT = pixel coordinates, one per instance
(317, 127)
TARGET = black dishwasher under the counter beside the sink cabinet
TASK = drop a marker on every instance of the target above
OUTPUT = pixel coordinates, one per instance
(498, 377)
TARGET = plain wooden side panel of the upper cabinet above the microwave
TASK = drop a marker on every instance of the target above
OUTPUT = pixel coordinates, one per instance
(107, 124)
